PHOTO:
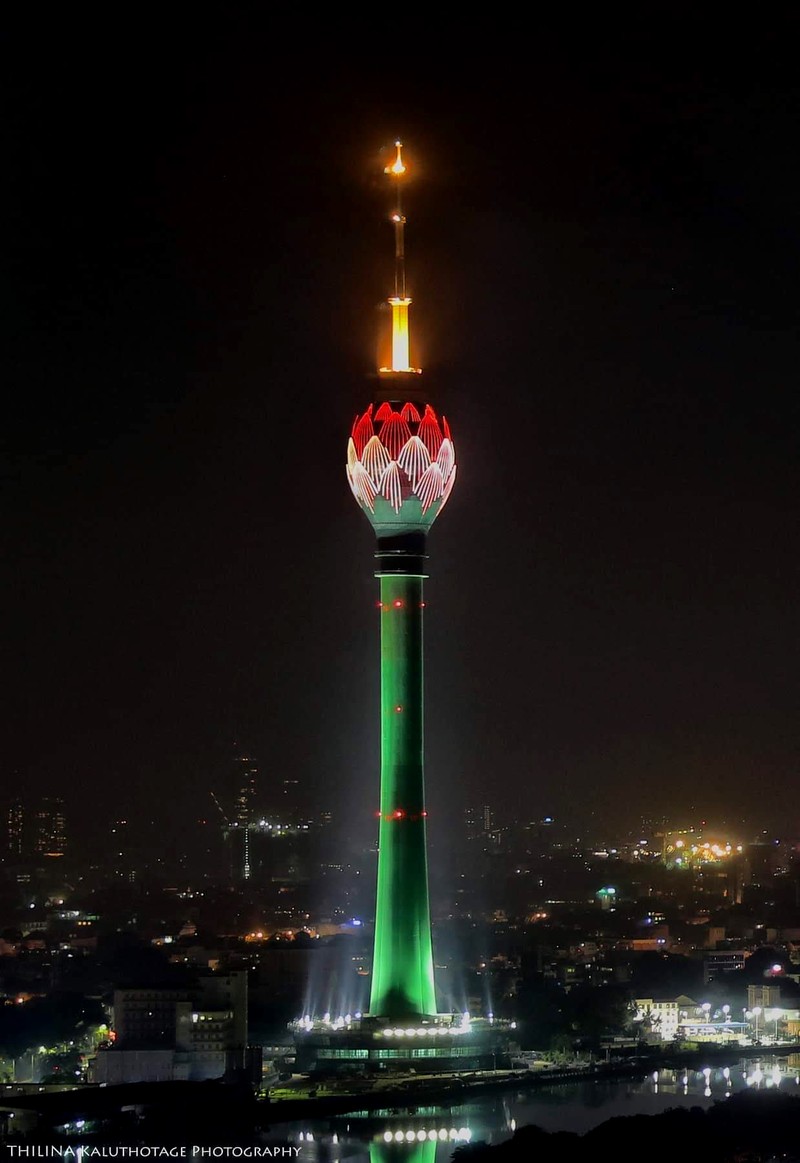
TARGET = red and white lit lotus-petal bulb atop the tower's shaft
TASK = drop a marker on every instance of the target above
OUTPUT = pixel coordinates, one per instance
(402, 467)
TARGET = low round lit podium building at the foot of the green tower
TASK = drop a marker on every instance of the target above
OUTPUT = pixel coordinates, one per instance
(374, 1046)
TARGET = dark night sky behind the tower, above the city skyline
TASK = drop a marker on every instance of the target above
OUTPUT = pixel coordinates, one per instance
(604, 251)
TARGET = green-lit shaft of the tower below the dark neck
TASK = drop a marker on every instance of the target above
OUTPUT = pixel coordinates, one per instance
(403, 965)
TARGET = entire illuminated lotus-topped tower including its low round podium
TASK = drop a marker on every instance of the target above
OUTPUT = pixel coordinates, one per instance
(402, 469)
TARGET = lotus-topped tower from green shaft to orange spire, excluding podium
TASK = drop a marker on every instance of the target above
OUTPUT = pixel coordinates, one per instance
(402, 468)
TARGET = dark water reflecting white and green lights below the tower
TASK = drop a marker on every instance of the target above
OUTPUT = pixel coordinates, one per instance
(428, 1135)
